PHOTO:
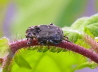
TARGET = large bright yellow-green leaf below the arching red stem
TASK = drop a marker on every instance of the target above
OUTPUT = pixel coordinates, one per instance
(45, 62)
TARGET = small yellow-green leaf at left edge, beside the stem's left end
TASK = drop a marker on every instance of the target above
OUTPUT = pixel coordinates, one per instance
(4, 47)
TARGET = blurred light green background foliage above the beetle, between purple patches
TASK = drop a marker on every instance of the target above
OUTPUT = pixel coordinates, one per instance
(36, 12)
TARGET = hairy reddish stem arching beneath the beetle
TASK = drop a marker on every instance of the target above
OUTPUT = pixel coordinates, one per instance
(66, 45)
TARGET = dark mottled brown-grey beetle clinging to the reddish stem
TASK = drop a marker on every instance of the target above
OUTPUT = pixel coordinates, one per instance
(45, 34)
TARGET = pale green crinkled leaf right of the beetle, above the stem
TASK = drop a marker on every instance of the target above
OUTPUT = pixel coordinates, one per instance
(87, 24)
